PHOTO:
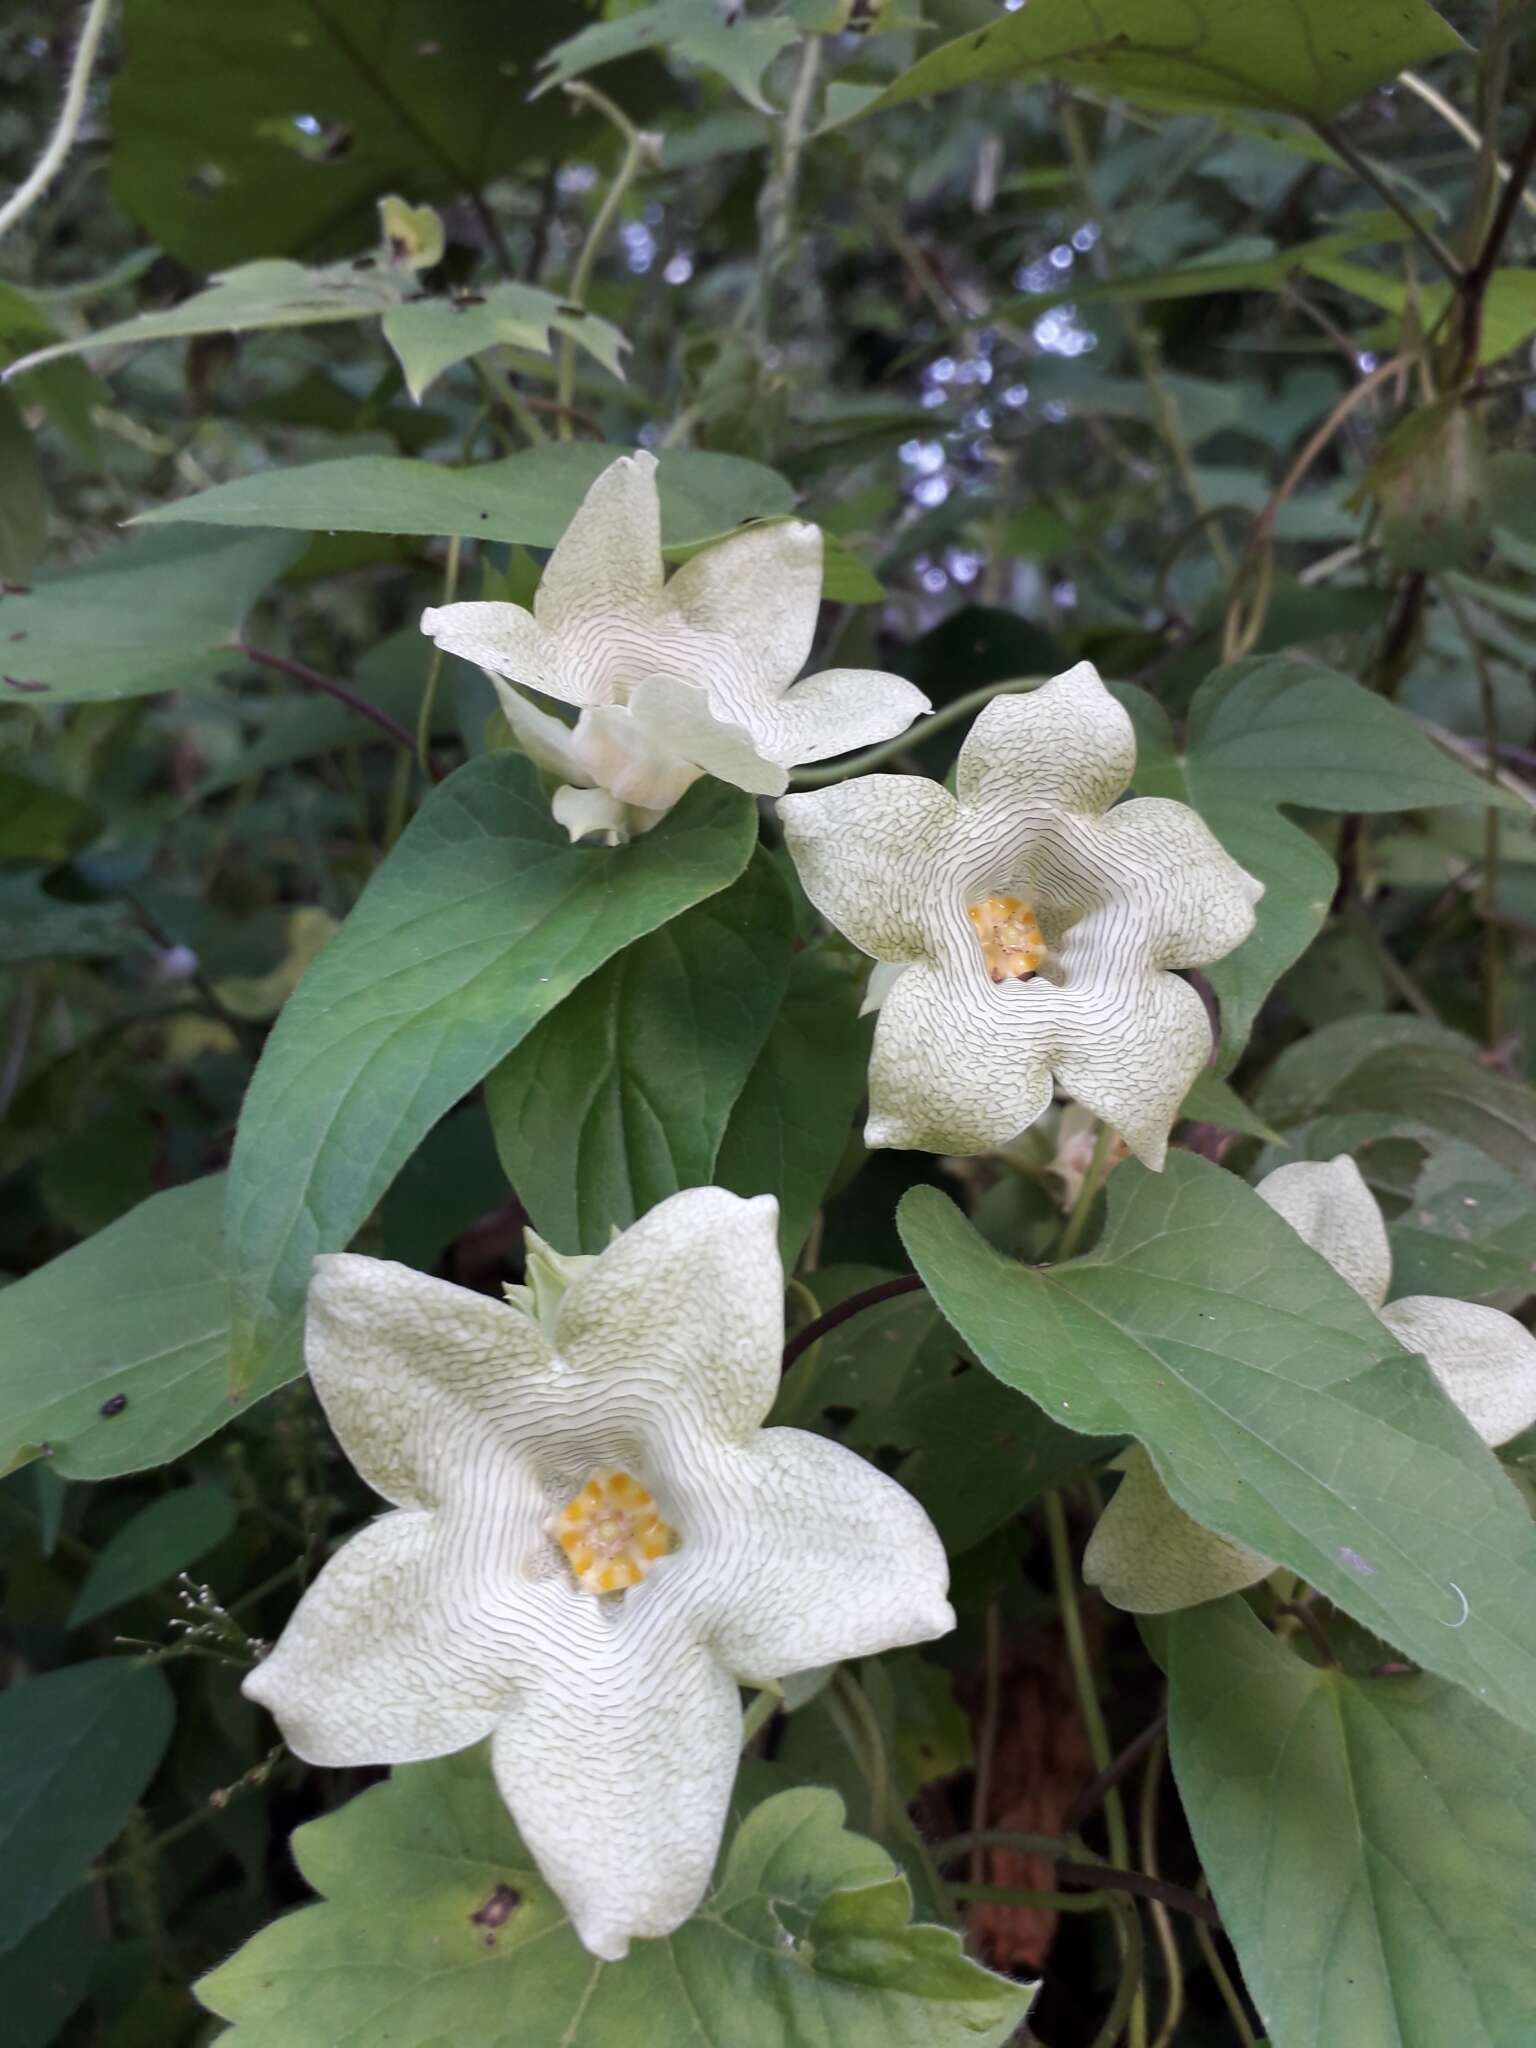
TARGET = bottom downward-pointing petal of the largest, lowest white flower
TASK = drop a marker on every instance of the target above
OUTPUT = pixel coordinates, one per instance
(617, 1764)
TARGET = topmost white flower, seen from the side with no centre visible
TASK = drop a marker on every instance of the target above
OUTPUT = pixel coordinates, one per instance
(673, 679)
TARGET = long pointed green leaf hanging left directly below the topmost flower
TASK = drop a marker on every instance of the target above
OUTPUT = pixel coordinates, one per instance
(476, 927)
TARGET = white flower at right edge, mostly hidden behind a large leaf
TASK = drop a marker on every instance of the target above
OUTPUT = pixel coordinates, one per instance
(1150, 1558)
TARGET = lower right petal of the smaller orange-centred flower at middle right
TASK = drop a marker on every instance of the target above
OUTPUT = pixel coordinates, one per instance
(1132, 1041)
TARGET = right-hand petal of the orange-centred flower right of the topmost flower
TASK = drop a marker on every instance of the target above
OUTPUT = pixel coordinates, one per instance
(1191, 900)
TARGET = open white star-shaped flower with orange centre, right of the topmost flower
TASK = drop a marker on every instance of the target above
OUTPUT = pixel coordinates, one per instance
(1025, 927)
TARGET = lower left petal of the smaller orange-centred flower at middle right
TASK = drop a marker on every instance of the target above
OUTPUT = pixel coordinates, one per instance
(959, 1068)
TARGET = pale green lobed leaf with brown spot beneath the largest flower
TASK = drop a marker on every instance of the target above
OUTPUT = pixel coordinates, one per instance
(437, 1928)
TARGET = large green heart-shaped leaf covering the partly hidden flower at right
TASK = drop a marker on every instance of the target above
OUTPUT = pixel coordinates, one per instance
(1273, 1406)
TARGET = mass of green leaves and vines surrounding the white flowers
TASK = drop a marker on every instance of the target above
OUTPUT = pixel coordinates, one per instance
(1187, 339)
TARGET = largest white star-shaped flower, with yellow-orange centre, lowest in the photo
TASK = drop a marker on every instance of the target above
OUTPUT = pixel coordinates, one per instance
(593, 1545)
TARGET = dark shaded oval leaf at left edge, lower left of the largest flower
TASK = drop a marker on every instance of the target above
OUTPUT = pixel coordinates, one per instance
(77, 1750)
